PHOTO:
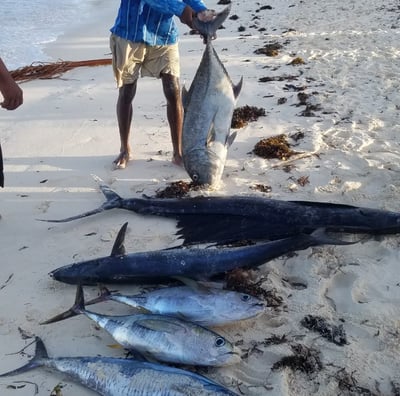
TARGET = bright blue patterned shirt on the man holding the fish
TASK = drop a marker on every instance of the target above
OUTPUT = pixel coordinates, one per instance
(151, 21)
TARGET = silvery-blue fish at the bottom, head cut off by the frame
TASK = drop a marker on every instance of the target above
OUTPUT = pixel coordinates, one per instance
(124, 377)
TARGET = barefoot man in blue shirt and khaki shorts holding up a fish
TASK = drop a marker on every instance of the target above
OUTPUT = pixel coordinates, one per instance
(144, 39)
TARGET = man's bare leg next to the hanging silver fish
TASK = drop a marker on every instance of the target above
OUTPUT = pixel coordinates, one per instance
(172, 93)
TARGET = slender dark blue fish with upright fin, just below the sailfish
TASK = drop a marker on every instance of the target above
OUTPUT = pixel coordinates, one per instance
(198, 263)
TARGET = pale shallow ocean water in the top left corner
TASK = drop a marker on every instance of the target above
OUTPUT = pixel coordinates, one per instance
(27, 25)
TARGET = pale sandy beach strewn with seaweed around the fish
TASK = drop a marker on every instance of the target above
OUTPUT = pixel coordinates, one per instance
(345, 128)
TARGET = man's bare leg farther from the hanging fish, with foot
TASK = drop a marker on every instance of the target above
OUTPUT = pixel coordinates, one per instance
(124, 115)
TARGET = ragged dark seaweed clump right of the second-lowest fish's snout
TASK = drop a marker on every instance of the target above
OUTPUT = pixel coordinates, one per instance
(306, 360)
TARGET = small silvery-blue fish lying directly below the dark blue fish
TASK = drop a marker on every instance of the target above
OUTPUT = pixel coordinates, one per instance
(205, 306)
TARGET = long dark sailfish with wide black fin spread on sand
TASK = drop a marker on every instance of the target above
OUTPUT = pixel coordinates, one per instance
(225, 219)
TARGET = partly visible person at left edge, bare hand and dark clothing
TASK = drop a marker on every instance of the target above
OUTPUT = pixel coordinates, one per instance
(12, 98)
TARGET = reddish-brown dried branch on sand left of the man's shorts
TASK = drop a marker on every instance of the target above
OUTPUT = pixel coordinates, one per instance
(48, 70)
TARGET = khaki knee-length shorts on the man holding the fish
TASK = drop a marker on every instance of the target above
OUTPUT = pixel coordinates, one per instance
(130, 59)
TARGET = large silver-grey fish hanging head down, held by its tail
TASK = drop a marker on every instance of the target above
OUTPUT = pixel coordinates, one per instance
(208, 106)
